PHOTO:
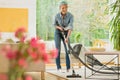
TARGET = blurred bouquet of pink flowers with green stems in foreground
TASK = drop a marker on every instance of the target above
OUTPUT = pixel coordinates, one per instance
(32, 50)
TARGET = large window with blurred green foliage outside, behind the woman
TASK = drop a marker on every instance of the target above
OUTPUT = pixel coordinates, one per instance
(90, 19)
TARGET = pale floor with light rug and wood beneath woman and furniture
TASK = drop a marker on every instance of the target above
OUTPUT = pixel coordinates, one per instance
(52, 74)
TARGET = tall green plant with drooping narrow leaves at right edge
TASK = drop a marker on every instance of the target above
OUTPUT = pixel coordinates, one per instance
(115, 25)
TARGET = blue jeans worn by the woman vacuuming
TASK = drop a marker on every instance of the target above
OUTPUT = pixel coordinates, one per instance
(58, 38)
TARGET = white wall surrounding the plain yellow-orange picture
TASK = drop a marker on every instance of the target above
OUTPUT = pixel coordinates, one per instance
(31, 5)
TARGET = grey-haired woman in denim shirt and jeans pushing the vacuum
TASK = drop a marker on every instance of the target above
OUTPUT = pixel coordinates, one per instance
(63, 22)
